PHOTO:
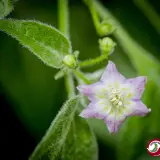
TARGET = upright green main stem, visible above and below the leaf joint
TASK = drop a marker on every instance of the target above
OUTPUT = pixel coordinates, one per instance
(63, 14)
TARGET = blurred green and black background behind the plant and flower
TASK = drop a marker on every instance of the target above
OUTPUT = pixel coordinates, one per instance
(30, 97)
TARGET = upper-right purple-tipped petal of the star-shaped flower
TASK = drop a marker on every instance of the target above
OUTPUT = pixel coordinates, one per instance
(138, 83)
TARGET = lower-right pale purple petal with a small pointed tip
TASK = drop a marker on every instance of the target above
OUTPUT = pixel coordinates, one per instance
(138, 109)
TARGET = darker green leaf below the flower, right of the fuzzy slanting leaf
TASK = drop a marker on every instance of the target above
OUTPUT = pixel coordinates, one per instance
(80, 143)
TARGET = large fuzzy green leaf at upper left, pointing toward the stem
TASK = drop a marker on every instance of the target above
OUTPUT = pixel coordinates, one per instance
(46, 42)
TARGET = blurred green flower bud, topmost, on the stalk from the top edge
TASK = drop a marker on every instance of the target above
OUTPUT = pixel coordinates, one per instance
(105, 28)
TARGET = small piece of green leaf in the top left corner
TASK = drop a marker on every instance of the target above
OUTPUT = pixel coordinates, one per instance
(5, 7)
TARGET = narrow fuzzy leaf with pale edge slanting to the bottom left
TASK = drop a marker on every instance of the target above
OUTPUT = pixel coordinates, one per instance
(52, 143)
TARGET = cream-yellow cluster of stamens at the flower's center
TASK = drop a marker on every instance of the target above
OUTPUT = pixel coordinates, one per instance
(116, 98)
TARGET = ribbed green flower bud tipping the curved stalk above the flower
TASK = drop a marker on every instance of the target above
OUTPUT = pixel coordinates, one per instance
(107, 45)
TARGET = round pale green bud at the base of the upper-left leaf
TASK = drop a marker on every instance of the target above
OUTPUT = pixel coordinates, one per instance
(70, 61)
